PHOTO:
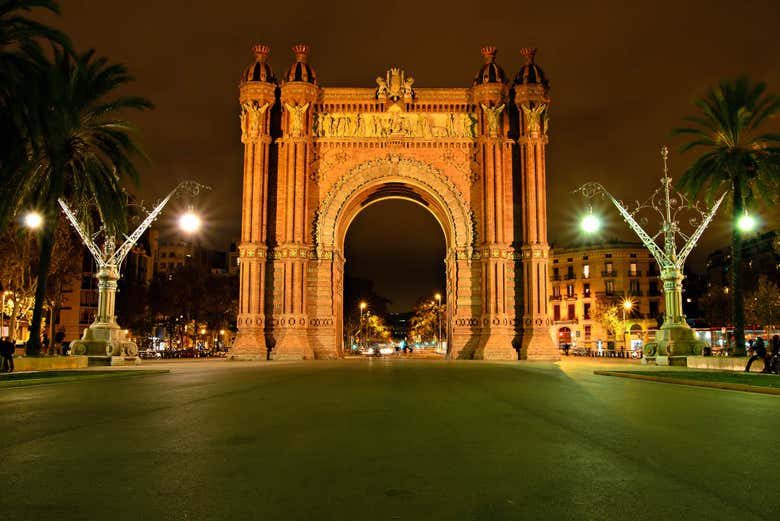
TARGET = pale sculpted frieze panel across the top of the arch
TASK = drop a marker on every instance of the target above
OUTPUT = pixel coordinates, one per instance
(395, 124)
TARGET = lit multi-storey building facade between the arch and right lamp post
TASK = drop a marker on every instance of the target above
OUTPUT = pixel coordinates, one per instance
(585, 280)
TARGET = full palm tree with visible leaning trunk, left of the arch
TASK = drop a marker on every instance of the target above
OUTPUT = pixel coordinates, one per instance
(79, 149)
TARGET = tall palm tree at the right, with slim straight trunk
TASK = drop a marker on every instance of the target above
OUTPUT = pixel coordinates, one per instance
(737, 157)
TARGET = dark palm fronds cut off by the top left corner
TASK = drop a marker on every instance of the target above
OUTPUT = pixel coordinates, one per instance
(20, 49)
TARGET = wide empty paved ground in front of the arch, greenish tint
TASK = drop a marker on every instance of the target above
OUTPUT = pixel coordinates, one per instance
(385, 440)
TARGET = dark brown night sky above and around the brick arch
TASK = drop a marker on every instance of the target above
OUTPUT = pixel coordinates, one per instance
(622, 76)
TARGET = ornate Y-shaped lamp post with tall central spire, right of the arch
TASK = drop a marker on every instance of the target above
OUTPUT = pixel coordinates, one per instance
(675, 340)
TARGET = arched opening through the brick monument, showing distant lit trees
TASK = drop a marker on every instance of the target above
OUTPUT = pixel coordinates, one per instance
(394, 251)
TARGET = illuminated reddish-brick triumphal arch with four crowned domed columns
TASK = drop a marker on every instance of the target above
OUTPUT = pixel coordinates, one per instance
(315, 156)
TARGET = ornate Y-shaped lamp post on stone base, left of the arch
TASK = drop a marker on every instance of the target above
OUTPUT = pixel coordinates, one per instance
(104, 337)
